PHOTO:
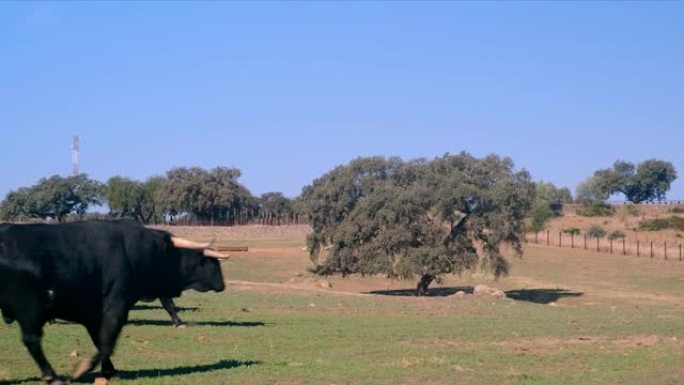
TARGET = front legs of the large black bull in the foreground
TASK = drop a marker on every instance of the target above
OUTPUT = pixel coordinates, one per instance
(113, 319)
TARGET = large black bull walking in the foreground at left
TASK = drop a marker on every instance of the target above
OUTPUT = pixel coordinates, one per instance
(92, 273)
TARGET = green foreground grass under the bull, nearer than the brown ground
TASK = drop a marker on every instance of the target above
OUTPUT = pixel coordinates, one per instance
(281, 339)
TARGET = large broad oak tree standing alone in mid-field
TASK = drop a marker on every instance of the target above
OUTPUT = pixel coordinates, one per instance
(417, 218)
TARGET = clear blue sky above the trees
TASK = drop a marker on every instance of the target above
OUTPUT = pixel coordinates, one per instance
(286, 91)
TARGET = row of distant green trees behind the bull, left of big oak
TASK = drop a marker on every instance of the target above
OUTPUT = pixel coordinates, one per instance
(189, 195)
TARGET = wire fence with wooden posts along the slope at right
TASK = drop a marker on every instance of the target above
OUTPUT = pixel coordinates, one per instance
(667, 250)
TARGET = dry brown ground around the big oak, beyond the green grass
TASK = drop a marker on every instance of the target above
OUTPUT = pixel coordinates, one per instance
(561, 276)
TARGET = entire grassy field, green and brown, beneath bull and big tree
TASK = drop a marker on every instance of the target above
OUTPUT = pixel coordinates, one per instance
(571, 318)
